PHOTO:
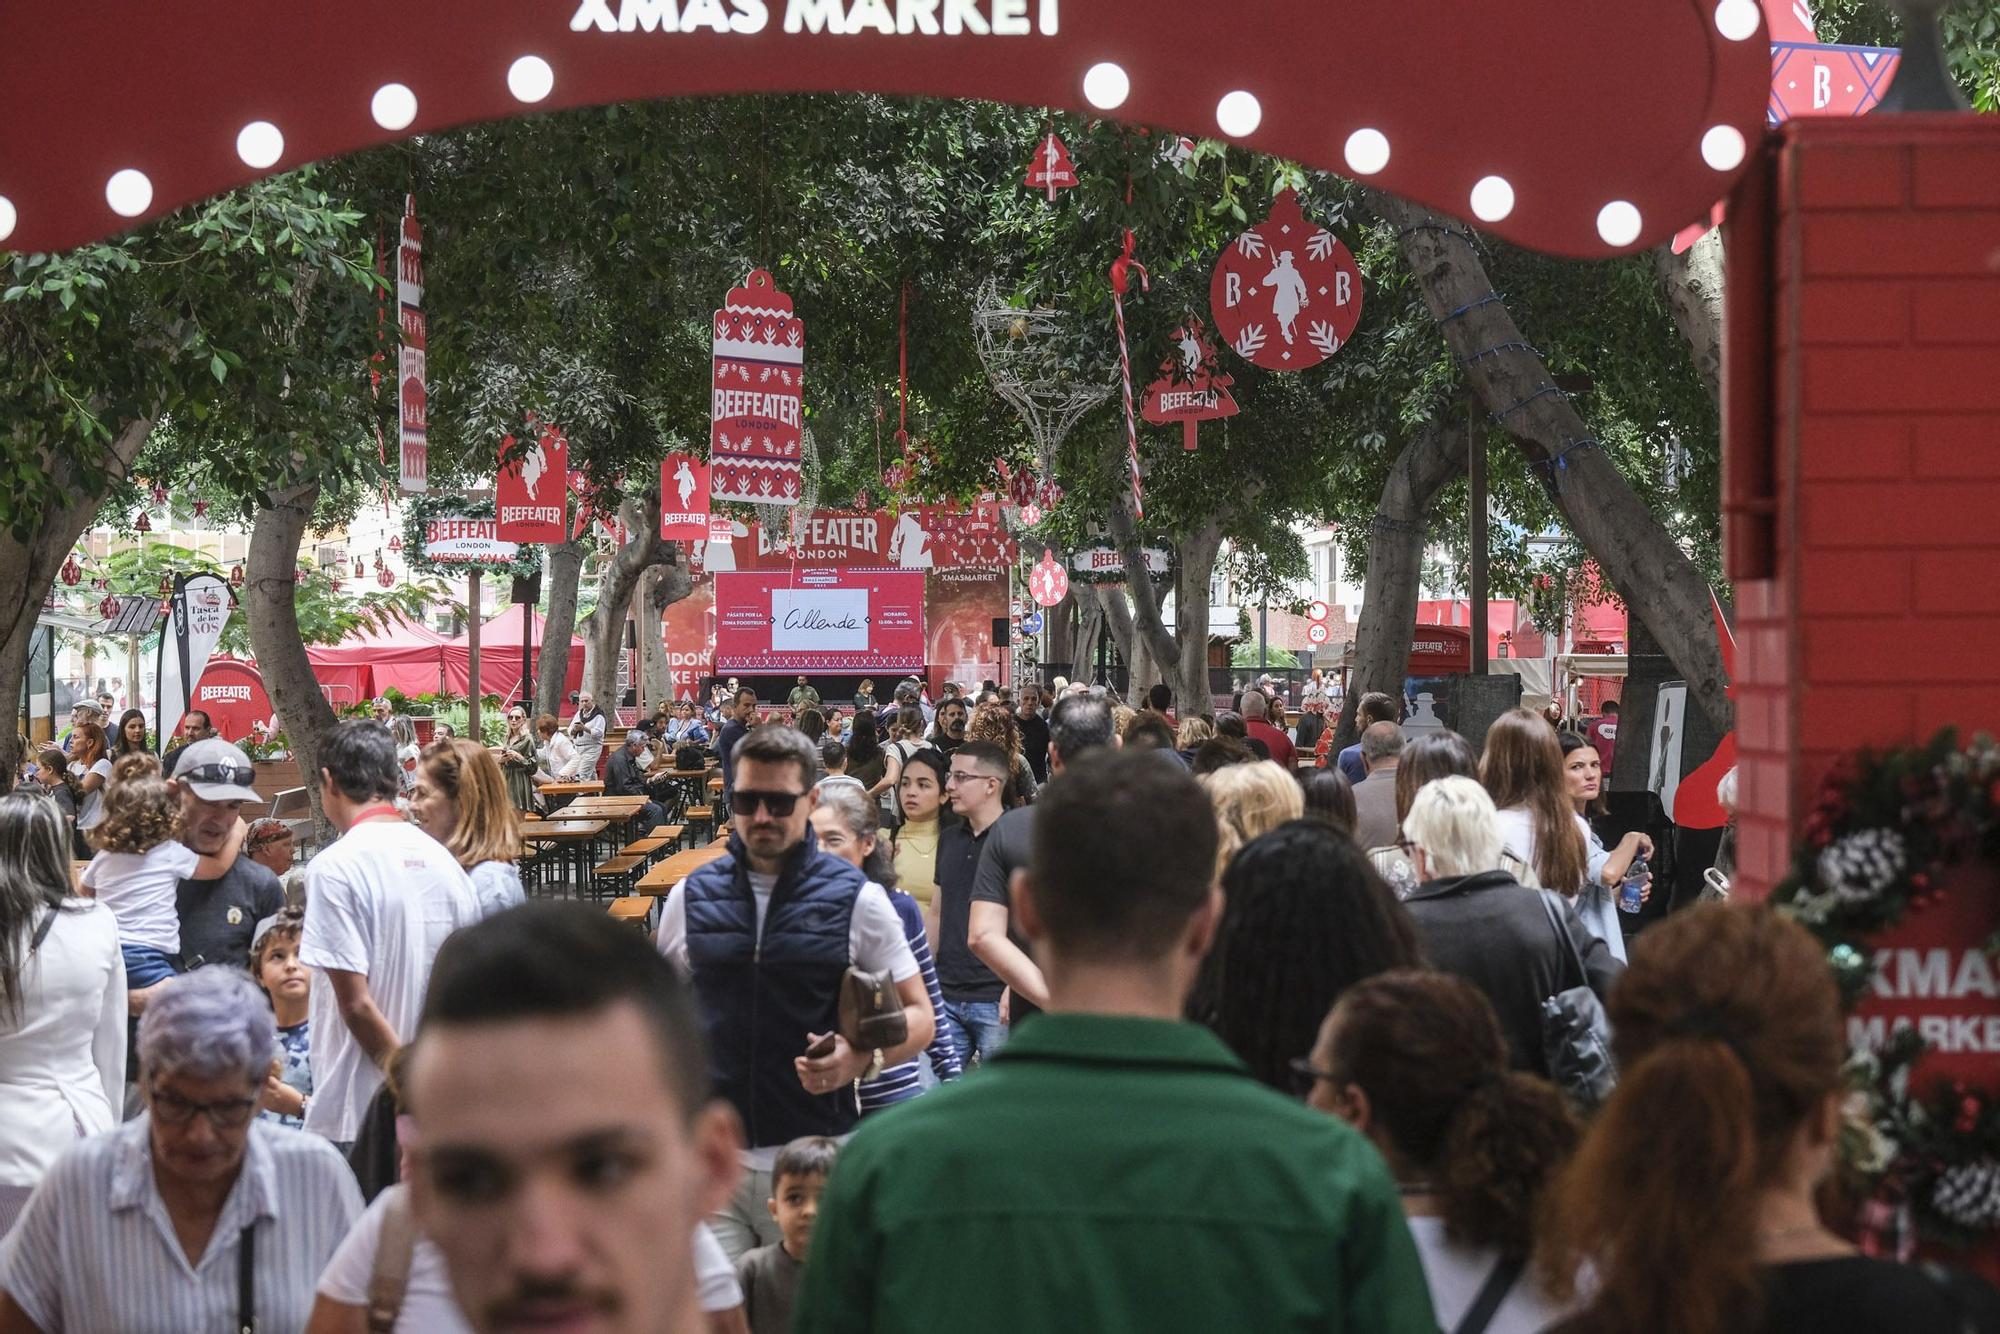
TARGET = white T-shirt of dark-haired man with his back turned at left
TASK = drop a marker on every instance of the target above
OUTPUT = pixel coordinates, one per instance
(379, 903)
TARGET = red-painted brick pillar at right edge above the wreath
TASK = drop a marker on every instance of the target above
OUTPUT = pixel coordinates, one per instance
(1863, 455)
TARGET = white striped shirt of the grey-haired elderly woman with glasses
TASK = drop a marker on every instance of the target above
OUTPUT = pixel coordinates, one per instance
(97, 1251)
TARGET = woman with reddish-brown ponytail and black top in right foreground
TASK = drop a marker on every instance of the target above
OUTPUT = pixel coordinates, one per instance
(1691, 1207)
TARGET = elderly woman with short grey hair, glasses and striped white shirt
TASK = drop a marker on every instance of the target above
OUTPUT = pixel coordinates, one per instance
(195, 1217)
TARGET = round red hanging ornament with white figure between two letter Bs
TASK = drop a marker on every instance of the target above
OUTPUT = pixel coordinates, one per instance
(1287, 295)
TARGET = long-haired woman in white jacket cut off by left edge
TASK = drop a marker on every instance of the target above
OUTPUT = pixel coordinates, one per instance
(63, 1003)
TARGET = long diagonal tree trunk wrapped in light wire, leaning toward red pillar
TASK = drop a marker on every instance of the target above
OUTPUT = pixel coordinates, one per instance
(1631, 547)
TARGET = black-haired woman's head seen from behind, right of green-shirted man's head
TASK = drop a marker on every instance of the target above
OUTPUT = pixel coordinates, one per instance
(1305, 919)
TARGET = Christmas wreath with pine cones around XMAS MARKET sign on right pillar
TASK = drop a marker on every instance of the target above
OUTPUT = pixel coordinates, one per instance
(1881, 833)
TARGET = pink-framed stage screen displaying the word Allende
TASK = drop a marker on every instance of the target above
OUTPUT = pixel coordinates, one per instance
(819, 621)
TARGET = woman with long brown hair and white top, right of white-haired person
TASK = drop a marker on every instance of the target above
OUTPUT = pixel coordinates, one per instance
(1521, 769)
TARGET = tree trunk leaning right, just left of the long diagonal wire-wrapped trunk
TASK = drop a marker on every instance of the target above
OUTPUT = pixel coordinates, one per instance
(1397, 565)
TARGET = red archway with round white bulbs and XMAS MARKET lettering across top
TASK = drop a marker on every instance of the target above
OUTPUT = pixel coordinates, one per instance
(1611, 125)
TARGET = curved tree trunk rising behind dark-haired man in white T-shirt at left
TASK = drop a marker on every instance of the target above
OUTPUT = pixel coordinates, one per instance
(281, 653)
